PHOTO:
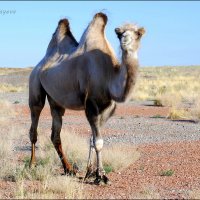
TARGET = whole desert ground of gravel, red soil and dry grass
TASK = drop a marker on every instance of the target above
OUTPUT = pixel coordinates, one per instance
(151, 143)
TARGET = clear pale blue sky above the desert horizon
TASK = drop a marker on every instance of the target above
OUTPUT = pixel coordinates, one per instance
(173, 29)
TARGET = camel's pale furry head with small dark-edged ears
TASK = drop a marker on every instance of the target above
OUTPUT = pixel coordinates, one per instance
(129, 36)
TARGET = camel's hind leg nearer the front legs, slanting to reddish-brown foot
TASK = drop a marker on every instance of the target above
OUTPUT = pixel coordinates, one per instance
(57, 112)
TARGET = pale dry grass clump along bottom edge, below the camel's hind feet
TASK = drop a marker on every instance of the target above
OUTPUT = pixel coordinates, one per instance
(51, 188)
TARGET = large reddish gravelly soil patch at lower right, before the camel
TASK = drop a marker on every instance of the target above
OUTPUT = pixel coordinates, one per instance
(144, 175)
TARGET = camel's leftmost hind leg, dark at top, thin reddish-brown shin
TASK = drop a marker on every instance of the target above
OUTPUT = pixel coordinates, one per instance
(36, 105)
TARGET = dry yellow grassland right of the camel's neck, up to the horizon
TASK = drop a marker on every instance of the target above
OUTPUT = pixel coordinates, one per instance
(175, 87)
